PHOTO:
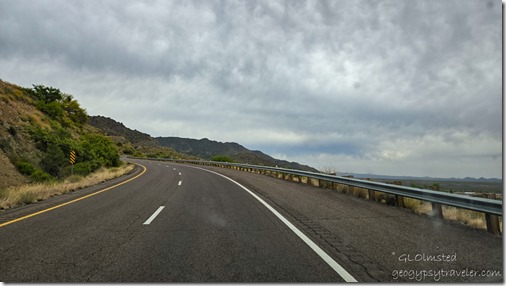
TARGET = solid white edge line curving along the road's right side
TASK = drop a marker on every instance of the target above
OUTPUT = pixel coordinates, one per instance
(331, 262)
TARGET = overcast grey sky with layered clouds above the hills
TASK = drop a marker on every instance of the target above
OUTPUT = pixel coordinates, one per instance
(386, 87)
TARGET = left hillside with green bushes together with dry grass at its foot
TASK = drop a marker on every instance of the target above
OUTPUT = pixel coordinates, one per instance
(39, 128)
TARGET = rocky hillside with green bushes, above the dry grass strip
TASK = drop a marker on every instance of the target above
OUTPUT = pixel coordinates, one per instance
(39, 127)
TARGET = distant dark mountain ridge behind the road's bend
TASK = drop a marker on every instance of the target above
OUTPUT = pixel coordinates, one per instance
(202, 148)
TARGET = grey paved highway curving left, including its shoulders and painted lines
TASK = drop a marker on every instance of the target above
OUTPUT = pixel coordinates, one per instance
(178, 223)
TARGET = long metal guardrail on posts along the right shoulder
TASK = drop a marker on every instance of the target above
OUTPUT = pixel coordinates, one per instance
(491, 208)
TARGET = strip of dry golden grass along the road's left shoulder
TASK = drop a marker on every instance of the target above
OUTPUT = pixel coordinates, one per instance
(27, 194)
